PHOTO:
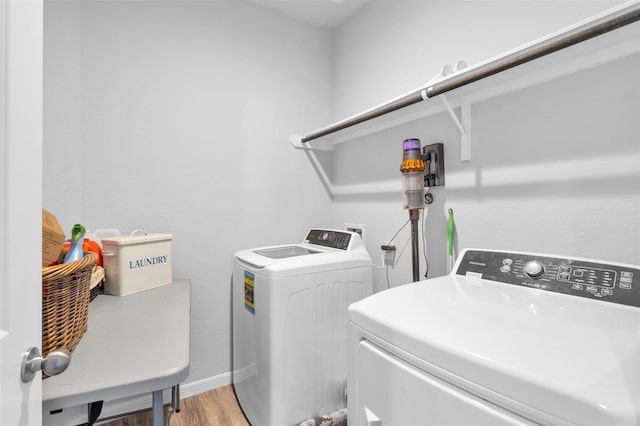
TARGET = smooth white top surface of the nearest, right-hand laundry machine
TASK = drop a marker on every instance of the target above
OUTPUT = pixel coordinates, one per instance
(553, 358)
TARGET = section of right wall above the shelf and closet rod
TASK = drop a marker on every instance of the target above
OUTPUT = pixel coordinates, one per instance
(392, 47)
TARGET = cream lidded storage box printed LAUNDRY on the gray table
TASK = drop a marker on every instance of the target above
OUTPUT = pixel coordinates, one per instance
(136, 263)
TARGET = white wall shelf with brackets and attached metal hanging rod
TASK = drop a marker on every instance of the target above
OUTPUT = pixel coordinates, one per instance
(617, 35)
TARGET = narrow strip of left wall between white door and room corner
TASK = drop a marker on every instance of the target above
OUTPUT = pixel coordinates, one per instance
(62, 118)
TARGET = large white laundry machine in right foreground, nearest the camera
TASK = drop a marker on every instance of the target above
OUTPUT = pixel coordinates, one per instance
(507, 338)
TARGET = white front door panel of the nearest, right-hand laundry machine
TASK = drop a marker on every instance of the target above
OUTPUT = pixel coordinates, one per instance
(389, 391)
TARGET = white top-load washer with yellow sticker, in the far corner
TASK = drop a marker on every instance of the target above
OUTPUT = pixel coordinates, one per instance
(290, 325)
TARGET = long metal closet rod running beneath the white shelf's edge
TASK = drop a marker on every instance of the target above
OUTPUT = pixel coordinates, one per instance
(625, 16)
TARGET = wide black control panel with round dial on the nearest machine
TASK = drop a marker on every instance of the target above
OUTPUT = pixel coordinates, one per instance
(603, 281)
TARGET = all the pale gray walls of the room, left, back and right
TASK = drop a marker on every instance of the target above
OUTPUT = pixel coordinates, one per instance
(175, 117)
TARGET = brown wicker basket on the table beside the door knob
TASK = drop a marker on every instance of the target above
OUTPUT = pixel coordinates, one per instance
(65, 303)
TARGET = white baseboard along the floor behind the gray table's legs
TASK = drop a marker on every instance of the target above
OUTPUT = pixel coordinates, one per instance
(78, 415)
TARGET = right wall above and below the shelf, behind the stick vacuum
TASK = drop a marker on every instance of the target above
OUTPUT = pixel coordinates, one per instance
(552, 167)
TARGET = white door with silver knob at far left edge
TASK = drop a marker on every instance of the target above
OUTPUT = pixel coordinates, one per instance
(21, 32)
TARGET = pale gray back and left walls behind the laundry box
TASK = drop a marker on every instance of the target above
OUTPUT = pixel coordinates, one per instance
(175, 117)
